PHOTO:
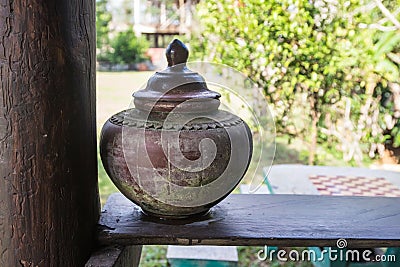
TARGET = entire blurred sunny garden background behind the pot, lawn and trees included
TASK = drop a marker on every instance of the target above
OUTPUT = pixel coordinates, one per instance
(329, 70)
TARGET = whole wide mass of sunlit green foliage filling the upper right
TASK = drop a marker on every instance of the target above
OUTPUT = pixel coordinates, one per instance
(309, 57)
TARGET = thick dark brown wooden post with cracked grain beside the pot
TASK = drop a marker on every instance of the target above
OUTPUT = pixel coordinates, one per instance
(48, 173)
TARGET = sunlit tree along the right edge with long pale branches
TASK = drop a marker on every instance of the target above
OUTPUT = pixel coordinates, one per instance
(375, 98)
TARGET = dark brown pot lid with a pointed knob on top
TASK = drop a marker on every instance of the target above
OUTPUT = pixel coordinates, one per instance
(175, 85)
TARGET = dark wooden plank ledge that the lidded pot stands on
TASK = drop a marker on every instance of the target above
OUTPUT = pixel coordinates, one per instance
(275, 220)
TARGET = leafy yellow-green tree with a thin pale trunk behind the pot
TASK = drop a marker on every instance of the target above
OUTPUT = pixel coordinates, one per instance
(289, 48)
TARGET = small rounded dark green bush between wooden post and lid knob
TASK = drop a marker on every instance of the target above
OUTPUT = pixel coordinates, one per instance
(126, 48)
